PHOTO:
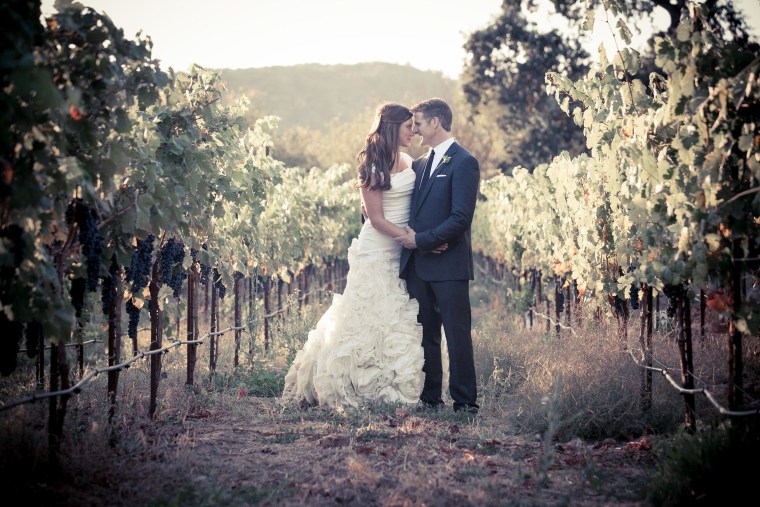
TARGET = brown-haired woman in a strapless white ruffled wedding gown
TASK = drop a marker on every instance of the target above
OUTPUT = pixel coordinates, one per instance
(367, 347)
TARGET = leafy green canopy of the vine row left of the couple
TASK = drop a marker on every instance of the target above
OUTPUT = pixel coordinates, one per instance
(92, 119)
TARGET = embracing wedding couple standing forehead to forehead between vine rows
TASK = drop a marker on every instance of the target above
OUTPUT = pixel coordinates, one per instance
(409, 272)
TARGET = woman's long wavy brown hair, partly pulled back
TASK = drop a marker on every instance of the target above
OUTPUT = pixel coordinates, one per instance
(381, 146)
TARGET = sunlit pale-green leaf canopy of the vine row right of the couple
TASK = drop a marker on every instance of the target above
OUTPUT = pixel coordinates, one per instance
(671, 177)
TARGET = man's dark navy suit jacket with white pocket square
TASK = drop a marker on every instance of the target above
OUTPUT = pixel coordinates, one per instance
(441, 212)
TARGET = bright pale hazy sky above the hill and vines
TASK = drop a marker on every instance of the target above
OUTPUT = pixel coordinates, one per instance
(427, 34)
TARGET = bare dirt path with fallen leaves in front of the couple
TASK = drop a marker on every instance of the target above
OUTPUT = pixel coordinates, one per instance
(247, 451)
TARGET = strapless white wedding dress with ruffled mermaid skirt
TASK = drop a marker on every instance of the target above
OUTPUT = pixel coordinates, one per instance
(367, 347)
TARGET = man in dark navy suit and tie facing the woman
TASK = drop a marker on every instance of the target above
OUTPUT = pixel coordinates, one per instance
(442, 207)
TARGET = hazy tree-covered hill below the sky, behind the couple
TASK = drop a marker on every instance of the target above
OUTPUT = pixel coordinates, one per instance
(312, 95)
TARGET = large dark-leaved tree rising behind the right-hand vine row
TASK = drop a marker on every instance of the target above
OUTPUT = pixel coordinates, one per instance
(504, 77)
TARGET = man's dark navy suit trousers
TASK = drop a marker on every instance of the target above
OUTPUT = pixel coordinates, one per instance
(447, 304)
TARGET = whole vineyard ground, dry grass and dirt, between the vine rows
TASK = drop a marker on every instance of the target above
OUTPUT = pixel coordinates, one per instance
(560, 423)
